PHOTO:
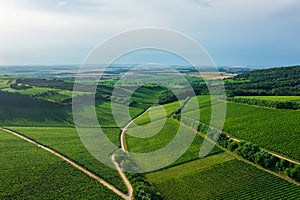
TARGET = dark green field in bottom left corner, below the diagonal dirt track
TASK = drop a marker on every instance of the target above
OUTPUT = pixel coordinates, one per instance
(28, 172)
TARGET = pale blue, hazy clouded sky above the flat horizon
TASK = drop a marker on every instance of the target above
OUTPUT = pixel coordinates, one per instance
(233, 32)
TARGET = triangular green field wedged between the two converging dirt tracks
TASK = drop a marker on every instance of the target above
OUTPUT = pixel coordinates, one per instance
(67, 142)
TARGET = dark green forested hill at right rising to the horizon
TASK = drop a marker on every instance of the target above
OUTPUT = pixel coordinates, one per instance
(283, 81)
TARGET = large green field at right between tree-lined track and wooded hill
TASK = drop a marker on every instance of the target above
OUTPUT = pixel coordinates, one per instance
(280, 128)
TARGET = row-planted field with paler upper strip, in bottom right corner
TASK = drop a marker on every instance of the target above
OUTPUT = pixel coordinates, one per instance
(221, 177)
